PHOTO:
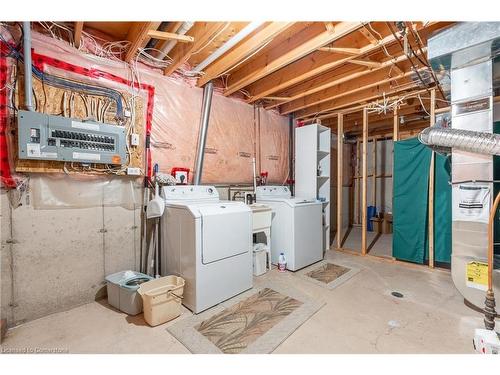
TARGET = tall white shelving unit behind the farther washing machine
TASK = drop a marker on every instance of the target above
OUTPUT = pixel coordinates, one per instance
(312, 169)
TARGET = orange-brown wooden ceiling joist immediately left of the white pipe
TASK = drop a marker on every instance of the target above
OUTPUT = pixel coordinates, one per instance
(202, 32)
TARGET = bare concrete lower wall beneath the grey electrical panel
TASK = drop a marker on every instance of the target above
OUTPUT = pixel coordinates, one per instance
(56, 259)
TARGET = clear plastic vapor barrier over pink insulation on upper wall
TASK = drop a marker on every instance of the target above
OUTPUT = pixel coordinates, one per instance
(232, 132)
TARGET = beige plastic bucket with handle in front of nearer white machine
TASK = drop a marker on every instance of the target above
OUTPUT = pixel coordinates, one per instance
(161, 299)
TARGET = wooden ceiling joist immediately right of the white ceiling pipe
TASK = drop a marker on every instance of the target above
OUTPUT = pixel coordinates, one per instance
(243, 50)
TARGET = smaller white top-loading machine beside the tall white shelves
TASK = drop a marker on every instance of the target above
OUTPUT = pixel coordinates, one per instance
(296, 228)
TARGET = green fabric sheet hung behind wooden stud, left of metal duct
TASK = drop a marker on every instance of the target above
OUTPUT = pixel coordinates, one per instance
(410, 206)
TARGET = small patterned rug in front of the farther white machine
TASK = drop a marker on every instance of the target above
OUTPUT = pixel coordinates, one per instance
(328, 274)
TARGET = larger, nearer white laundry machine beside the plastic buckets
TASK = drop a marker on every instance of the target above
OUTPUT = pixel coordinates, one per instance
(208, 242)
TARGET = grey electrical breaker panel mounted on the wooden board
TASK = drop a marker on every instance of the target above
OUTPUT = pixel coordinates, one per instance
(48, 137)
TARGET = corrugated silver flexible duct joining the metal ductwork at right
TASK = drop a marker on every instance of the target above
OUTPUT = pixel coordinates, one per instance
(465, 140)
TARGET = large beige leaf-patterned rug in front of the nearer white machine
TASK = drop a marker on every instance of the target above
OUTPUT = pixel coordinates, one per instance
(256, 322)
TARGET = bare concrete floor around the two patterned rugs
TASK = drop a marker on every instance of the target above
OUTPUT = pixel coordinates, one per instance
(360, 316)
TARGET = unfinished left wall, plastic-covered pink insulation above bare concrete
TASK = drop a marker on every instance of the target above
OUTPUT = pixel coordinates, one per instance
(69, 232)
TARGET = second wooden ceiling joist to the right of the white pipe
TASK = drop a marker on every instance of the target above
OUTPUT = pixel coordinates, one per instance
(264, 67)
